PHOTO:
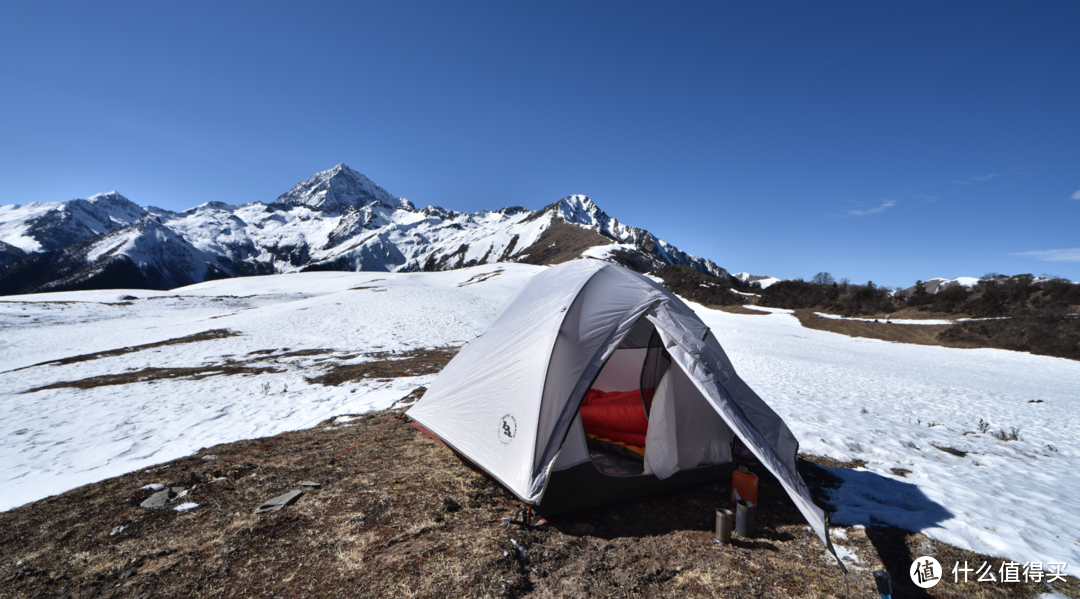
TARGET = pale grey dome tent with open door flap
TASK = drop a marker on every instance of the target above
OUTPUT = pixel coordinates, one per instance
(512, 402)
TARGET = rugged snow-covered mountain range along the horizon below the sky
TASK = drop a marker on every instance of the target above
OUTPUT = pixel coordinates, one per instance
(337, 220)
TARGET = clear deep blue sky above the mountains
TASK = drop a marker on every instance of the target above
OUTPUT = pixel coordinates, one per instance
(886, 142)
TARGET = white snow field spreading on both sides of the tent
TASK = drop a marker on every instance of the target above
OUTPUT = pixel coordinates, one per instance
(889, 405)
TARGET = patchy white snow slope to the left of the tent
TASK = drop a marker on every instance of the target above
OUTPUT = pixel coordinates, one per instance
(56, 440)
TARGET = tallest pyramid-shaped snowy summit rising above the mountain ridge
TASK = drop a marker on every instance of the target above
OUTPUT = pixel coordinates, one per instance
(339, 190)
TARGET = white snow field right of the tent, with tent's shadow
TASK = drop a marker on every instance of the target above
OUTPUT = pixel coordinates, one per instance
(1018, 499)
